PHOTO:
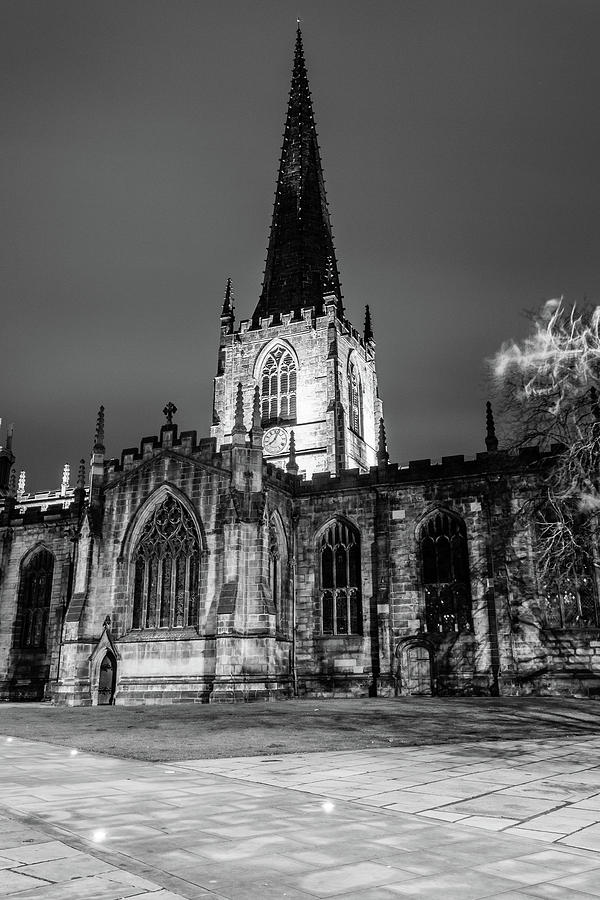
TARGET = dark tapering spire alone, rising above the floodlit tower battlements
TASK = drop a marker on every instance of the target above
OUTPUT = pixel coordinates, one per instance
(300, 257)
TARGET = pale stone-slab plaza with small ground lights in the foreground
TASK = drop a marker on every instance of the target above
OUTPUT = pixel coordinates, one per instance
(506, 819)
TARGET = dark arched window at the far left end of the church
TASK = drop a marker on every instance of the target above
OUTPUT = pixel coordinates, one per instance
(35, 592)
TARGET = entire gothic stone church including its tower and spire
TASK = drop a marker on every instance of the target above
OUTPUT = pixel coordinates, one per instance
(285, 555)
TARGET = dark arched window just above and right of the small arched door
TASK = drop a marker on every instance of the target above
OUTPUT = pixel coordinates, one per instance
(445, 572)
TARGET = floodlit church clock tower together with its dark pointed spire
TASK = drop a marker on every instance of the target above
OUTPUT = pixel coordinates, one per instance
(315, 372)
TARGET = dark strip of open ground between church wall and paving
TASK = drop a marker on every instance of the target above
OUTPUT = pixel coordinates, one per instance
(198, 731)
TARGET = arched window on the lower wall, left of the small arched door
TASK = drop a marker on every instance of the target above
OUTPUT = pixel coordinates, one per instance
(341, 604)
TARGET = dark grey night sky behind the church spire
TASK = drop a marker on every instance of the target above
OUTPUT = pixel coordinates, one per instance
(139, 146)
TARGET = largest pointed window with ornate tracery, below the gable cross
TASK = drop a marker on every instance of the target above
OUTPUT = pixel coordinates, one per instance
(166, 562)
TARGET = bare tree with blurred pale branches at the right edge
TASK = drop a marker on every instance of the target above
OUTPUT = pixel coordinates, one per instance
(547, 386)
